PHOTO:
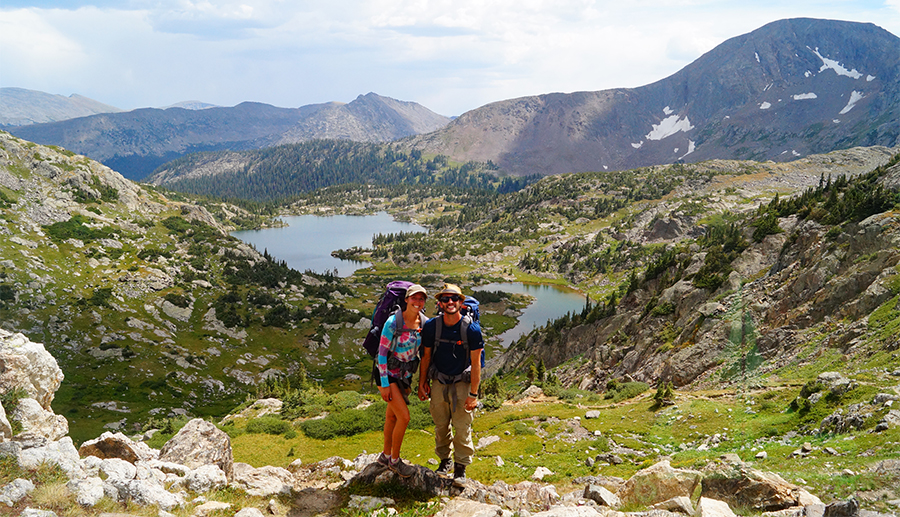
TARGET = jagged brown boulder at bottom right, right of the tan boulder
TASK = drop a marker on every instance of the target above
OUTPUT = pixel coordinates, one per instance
(751, 488)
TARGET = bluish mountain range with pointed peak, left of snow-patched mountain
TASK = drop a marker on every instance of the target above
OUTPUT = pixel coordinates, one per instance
(135, 143)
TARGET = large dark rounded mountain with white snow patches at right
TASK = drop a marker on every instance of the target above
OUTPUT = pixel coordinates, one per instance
(791, 88)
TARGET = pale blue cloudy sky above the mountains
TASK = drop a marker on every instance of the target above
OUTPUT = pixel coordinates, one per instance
(449, 55)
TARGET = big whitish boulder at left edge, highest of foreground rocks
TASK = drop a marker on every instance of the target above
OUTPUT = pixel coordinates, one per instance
(27, 365)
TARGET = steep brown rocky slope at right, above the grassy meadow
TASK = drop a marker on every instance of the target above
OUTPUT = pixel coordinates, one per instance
(779, 287)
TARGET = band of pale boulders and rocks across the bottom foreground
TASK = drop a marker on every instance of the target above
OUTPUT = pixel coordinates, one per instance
(198, 460)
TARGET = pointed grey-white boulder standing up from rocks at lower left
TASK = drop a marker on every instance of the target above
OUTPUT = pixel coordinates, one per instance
(200, 443)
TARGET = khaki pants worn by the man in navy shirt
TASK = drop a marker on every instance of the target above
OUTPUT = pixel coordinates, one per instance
(461, 420)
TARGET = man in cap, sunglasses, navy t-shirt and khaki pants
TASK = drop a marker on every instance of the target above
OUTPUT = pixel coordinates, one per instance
(449, 373)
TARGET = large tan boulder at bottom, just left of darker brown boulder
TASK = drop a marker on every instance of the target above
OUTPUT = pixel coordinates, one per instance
(659, 483)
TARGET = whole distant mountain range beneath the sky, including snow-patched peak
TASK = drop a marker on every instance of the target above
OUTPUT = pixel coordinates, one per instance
(791, 88)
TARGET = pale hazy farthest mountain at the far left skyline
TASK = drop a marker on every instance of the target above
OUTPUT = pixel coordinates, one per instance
(20, 107)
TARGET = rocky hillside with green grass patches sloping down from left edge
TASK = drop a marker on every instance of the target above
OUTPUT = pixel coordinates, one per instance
(118, 248)
